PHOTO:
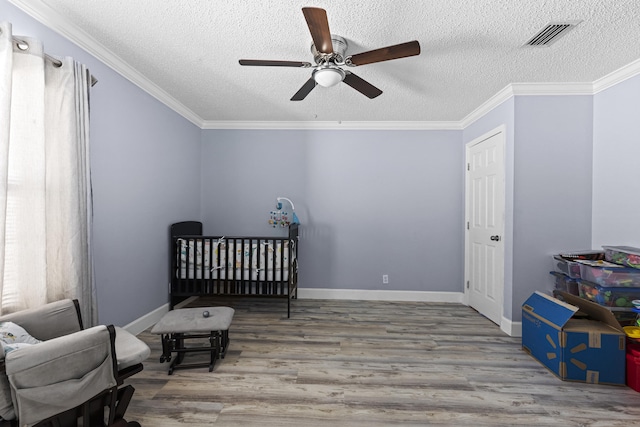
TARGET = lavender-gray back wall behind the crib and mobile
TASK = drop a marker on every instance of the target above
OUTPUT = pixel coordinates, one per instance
(370, 202)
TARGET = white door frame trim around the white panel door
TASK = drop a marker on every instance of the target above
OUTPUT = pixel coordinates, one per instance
(500, 129)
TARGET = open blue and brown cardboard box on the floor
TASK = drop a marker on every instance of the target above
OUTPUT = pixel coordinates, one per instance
(575, 339)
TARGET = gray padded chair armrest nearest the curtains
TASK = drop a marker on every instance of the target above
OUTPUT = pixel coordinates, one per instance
(48, 321)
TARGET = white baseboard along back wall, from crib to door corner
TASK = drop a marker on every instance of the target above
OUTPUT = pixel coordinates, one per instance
(380, 295)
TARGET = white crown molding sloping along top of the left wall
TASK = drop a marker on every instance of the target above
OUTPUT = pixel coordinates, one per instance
(52, 19)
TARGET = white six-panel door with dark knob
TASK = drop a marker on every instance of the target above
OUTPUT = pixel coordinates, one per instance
(485, 225)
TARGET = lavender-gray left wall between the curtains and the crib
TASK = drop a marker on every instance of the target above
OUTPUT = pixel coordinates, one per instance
(144, 163)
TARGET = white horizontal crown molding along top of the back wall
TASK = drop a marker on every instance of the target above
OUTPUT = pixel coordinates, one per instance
(333, 125)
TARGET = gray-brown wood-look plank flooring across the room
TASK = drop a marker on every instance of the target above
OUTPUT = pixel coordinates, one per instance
(370, 364)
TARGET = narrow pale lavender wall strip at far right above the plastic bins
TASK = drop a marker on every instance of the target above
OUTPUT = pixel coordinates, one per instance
(616, 170)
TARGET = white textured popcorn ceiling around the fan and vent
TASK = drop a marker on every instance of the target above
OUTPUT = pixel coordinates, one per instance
(187, 52)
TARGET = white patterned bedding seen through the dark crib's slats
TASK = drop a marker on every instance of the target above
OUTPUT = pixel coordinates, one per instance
(238, 259)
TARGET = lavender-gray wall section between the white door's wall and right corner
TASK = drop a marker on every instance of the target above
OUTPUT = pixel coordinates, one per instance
(552, 186)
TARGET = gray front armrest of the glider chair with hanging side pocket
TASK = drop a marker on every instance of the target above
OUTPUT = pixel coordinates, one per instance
(60, 374)
